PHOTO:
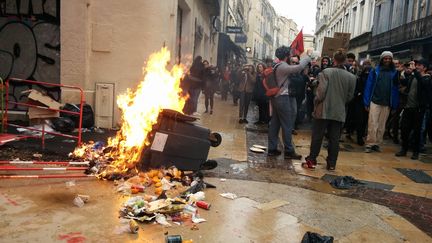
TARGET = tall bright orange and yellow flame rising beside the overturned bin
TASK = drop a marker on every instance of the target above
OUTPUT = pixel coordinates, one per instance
(159, 90)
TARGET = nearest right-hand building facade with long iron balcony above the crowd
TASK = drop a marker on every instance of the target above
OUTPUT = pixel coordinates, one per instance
(402, 27)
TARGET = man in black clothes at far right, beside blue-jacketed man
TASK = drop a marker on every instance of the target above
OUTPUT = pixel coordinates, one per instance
(418, 100)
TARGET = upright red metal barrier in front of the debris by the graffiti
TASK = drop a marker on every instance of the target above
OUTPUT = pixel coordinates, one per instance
(43, 132)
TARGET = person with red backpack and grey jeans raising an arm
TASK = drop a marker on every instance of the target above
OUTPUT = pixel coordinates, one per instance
(283, 103)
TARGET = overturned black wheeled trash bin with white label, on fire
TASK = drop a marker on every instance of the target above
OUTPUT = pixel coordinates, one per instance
(177, 141)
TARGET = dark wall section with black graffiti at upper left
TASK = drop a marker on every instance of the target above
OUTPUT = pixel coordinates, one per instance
(30, 44)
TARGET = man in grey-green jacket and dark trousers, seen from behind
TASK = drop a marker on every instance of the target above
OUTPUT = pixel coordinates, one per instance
(335, 89)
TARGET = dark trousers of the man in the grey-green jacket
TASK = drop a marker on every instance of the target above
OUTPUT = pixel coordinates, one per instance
(333, 128)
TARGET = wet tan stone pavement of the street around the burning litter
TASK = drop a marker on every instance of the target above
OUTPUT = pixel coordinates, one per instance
(401, 211)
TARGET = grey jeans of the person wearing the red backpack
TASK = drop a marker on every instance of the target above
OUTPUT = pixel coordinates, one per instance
(284, 113)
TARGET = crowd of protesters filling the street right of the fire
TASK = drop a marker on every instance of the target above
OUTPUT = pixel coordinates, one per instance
(339, 94)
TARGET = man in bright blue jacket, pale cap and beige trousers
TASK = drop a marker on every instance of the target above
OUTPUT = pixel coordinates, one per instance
(381, 95)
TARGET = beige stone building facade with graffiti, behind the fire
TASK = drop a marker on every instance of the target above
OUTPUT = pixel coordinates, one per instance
(90, 42)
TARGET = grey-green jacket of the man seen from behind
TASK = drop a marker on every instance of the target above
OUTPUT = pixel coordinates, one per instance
(335, 89)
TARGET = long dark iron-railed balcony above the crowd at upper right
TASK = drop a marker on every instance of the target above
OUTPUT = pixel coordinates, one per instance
(403, 35)
